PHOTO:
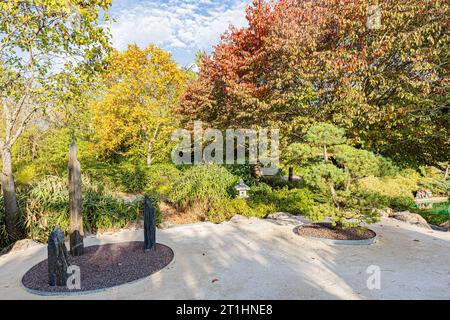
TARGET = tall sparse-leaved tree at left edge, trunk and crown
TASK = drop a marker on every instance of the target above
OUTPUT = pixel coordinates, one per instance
(38, 38)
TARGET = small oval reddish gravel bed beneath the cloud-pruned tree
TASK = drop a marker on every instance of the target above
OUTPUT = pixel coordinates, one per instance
(326, 231)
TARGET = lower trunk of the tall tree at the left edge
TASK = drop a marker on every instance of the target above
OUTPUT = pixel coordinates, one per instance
(9, 196)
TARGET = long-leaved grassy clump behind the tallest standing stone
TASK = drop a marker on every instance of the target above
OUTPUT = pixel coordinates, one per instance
(47, 206)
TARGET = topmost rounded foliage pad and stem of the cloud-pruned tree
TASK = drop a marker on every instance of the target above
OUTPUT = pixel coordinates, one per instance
(325, 135)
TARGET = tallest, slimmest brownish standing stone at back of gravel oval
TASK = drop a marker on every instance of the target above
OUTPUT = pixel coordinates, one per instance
(76, 217)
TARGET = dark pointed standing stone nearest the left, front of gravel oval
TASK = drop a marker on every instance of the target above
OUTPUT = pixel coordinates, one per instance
(57, 259)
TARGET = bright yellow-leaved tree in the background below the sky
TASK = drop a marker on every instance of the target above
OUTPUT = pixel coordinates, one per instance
(133, 116)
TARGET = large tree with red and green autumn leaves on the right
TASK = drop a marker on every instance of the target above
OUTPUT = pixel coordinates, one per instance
(299, 62)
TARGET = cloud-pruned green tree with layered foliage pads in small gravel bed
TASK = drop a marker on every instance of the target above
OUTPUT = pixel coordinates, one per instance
(333, 181)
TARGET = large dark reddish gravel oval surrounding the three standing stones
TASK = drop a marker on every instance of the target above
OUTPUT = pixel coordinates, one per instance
(104, 266)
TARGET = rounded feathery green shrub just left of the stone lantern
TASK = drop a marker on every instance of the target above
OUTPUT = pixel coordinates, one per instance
(202, 184)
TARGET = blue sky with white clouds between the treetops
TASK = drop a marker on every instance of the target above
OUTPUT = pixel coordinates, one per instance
(179, 26)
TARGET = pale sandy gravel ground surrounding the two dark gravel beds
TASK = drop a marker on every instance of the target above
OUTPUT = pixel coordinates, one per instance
(265, 259)
